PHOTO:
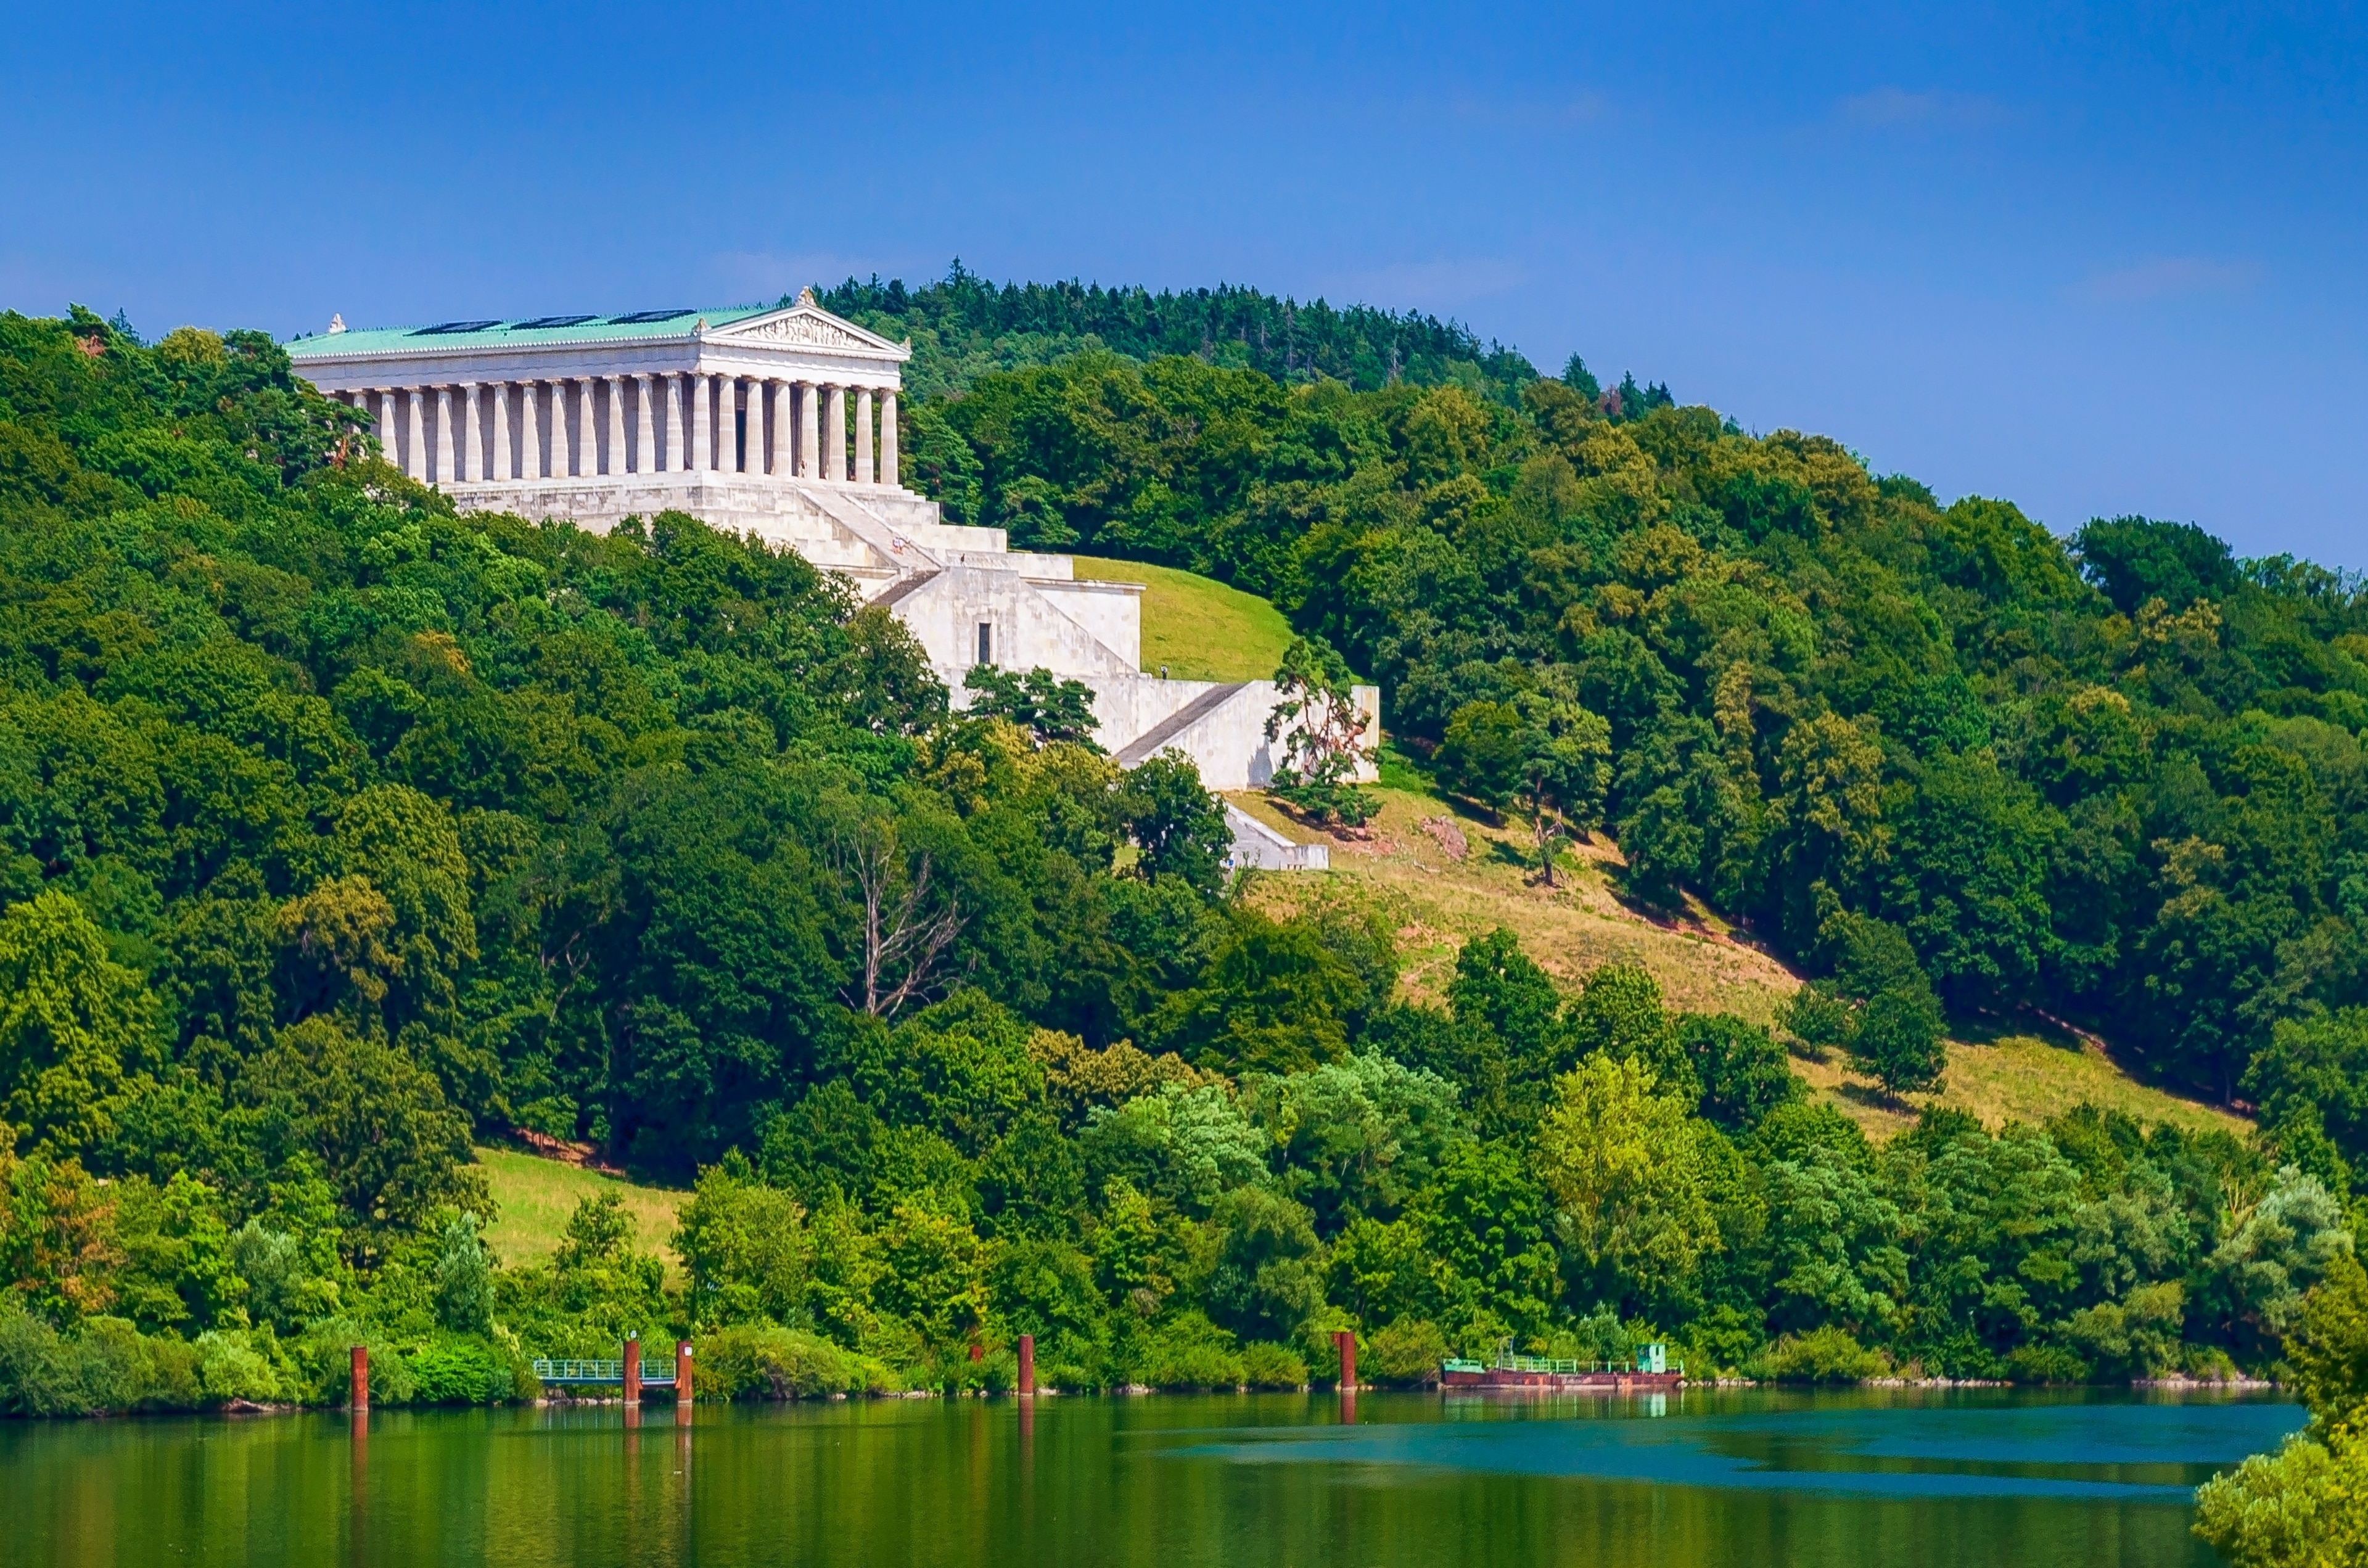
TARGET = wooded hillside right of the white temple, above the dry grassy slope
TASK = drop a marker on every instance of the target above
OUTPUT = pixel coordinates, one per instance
(2113, 776)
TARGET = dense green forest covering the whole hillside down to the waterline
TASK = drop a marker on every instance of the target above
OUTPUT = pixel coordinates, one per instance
(340, 830)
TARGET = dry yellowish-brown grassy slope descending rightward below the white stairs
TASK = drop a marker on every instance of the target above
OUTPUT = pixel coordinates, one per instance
(1581, 927)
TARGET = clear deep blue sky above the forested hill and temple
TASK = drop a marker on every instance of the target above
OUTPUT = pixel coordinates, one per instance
(2092, 259)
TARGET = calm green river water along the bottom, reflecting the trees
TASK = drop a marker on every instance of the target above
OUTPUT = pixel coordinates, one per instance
(1884, 1477)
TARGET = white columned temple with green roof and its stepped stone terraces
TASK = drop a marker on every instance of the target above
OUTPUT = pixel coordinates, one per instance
(778, 423)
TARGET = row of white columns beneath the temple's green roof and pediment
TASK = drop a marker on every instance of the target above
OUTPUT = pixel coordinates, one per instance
(633, 425)
